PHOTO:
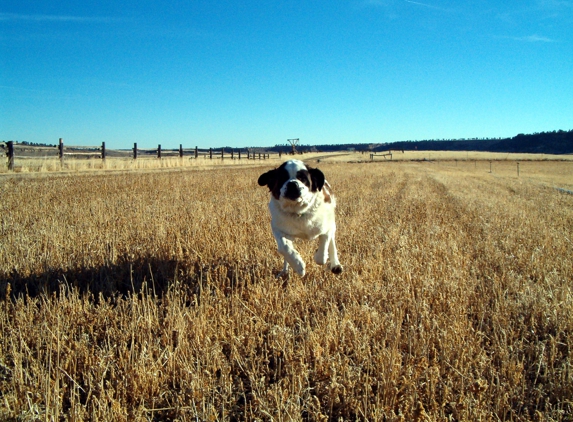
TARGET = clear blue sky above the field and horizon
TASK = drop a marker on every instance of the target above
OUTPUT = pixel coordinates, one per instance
(254, 73)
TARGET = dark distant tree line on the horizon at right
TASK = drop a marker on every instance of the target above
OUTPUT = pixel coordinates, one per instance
(556, 142)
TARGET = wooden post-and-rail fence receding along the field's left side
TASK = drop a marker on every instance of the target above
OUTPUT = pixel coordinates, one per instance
(15, 150)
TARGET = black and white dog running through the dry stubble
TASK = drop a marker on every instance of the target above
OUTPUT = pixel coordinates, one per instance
(302, 207)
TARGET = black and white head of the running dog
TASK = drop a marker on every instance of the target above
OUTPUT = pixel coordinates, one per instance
(293, 181)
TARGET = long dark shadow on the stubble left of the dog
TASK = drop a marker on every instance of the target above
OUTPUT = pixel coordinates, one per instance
(126, 277)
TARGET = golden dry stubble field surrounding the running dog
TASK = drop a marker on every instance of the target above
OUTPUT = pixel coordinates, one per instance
(151, 295)
